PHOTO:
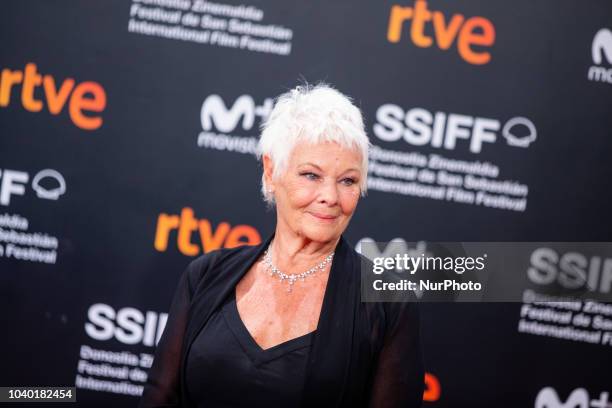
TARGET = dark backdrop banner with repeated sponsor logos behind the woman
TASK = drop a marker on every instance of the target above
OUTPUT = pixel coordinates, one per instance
(128, 131)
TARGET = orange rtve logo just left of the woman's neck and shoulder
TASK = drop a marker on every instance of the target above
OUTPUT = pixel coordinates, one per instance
(223, 236)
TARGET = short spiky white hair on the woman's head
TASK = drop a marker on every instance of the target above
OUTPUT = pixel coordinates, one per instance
(313, 114)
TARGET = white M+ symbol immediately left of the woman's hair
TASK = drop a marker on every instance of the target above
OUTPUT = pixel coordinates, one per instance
(243, 112)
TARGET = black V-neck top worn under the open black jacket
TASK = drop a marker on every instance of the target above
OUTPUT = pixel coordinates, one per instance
(227, 368)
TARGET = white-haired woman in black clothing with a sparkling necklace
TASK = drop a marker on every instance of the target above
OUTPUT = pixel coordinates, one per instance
(281, 324)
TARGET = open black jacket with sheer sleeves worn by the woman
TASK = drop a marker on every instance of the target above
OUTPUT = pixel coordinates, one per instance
(363, 354)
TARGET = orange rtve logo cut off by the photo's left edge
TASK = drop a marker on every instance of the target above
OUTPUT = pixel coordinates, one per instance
(85, 96)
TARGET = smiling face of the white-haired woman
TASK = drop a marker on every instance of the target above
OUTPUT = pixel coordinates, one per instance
(319, 191)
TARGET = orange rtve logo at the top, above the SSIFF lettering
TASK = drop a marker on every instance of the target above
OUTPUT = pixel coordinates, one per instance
(473, 31)
